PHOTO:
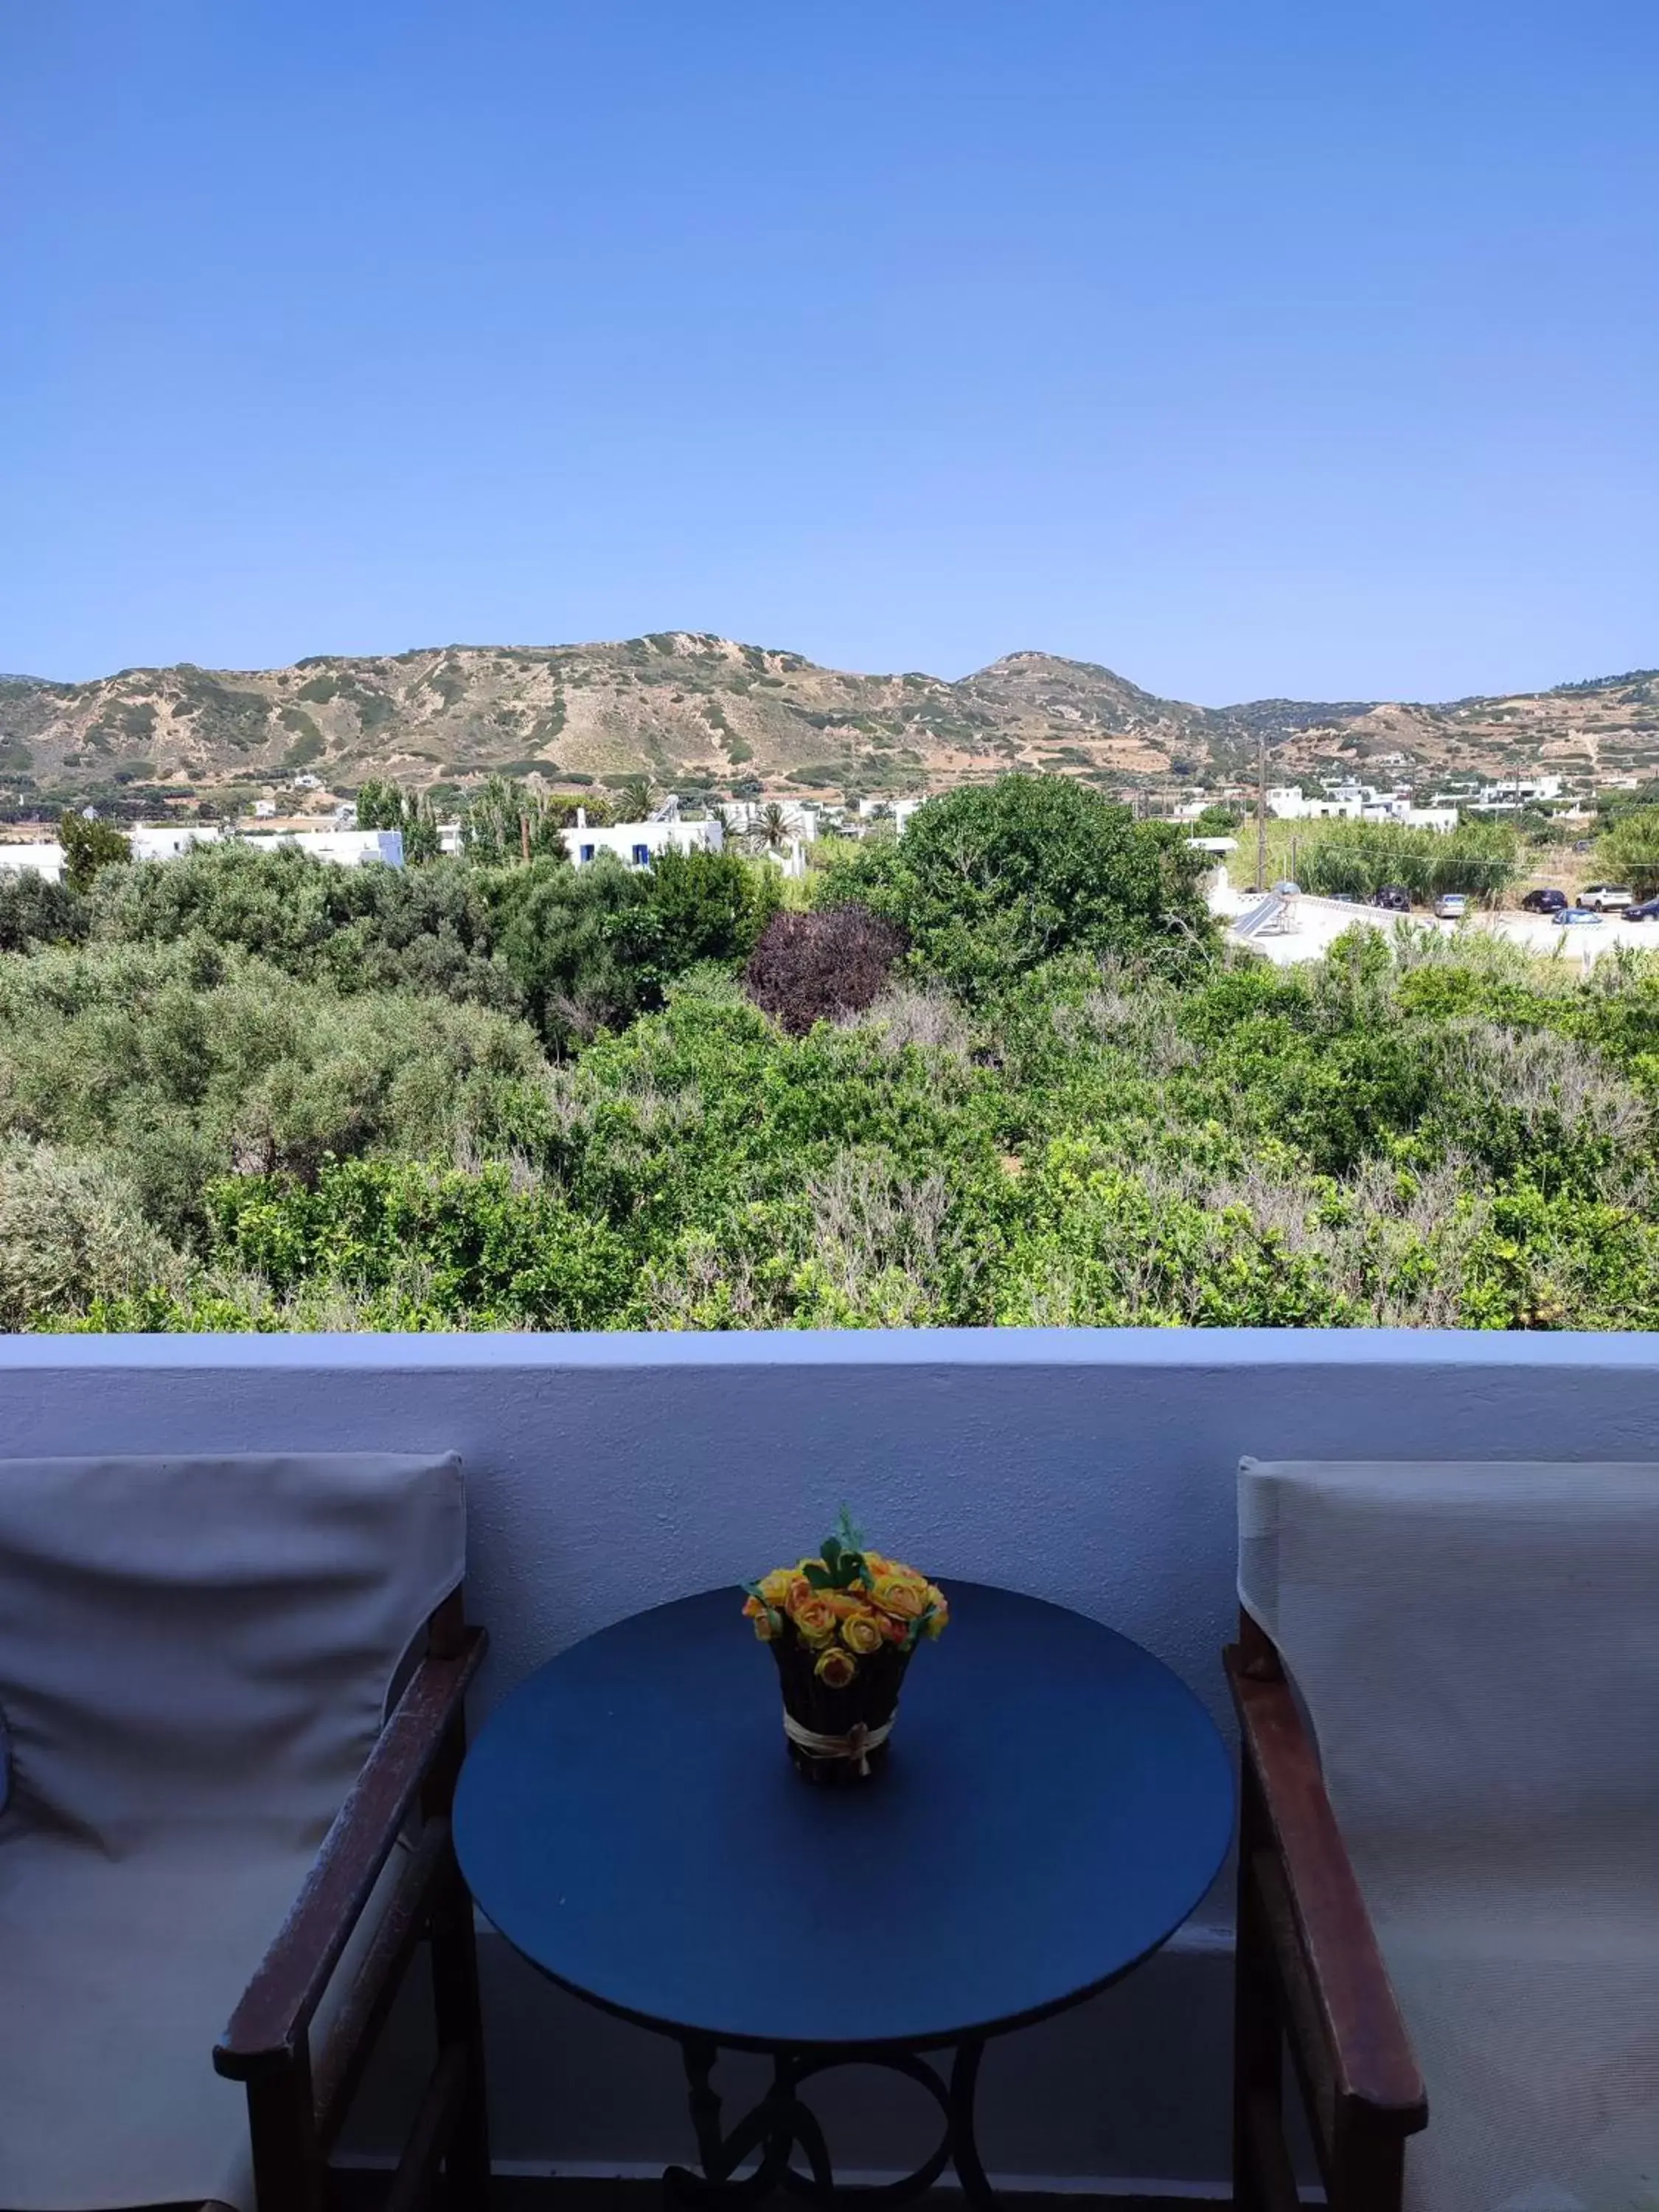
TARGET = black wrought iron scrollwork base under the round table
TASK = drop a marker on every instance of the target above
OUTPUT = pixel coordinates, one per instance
(782, 2125)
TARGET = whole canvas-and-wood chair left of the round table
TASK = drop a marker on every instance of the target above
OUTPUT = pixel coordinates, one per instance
(236, 1711)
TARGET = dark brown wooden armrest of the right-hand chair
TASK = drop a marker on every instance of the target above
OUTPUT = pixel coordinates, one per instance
(1315, 1908)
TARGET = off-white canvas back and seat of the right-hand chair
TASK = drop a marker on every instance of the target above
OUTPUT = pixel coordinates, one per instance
(1479, 1656)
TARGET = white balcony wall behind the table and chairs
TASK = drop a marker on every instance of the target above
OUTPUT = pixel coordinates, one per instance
(1092, 1468)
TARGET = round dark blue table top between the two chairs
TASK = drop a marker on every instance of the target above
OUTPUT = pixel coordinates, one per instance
(1054, 1804)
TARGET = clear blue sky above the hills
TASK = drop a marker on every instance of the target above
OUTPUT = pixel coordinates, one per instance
(1246, 346)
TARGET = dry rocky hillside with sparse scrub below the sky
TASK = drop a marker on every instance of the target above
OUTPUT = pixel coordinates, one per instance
(705, 713)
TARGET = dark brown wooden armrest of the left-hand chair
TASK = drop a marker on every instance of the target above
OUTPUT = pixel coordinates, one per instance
(289, 1983)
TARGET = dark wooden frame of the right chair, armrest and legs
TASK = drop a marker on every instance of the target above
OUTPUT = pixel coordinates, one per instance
(1311, 1976)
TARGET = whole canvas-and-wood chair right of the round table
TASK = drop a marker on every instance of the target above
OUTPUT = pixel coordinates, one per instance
(1448, 1691)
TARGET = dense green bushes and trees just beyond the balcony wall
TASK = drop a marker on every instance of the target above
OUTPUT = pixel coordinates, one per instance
(253, 1092)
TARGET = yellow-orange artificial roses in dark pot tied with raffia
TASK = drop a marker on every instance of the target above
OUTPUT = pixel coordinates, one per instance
(842, 1629)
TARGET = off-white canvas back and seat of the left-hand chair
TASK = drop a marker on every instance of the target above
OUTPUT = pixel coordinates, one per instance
(194, 1665)
